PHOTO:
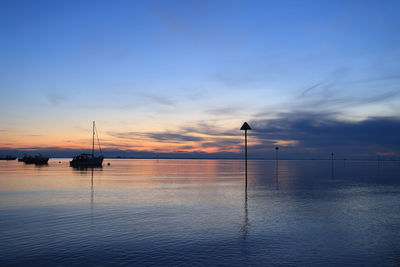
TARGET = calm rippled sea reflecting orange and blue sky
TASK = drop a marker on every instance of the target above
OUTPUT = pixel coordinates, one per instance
(195, 212)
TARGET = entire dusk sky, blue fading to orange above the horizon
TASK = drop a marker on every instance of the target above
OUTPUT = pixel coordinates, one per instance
(181, 77)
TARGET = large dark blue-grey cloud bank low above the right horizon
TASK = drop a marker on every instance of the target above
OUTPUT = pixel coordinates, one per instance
(321, 133)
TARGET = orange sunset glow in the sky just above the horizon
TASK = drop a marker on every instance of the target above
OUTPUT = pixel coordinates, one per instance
(189, 142)
